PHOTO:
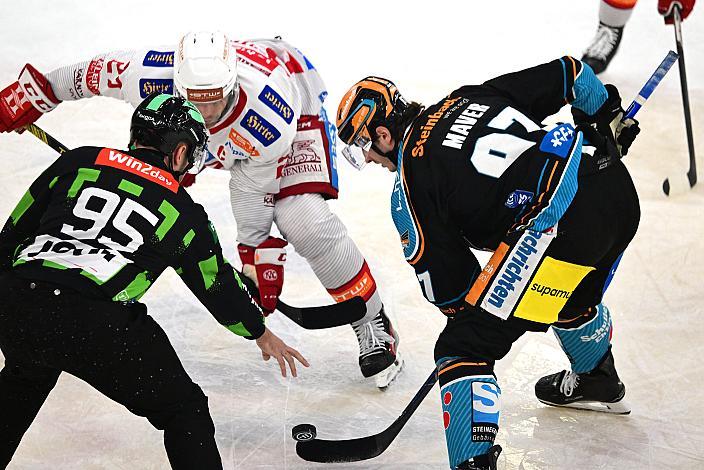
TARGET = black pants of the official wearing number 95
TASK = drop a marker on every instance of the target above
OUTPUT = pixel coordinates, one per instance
(119, 350)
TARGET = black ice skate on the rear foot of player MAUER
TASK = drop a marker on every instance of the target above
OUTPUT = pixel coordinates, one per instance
(597, 390)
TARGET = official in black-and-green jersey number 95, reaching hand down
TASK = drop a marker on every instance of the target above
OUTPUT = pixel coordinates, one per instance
(84, 244)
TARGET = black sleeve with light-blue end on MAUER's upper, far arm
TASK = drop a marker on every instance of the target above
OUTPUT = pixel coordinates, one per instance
(544, 89)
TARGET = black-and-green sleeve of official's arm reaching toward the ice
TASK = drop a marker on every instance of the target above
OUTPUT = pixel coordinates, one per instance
(216, 283)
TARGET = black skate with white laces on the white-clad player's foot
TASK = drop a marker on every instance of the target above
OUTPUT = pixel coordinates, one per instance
(378, 343)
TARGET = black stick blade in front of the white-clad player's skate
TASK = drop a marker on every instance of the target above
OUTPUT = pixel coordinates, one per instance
(325, 316)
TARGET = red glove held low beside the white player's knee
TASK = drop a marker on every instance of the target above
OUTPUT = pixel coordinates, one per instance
(265, 265)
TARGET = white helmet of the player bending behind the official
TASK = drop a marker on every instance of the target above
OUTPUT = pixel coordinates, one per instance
(205, 68)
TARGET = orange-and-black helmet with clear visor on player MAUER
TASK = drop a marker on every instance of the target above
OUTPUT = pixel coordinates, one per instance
(371, 102)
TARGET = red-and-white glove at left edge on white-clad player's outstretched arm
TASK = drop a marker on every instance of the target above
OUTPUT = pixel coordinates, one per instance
(25, 100)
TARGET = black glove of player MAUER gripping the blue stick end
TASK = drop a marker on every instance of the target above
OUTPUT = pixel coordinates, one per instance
(604, 129)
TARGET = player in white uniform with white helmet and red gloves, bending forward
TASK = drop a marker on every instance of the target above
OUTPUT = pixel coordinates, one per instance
(262, 101)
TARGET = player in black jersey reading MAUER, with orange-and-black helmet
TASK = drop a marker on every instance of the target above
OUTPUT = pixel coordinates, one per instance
(478, 170)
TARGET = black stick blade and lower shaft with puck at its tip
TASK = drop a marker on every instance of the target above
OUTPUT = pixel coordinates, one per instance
(362, 448)
